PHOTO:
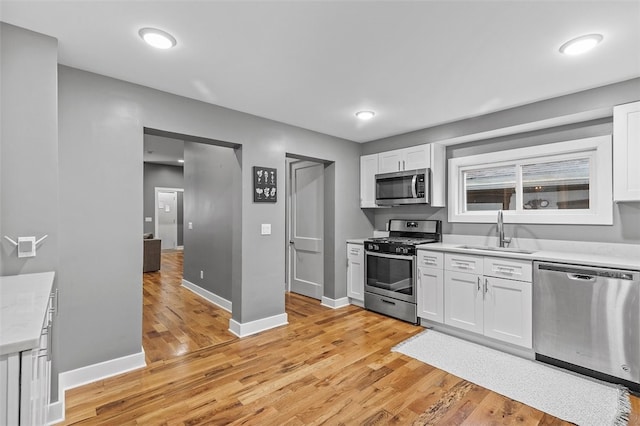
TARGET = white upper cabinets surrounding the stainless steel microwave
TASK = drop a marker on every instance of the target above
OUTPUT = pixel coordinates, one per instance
(428, 156)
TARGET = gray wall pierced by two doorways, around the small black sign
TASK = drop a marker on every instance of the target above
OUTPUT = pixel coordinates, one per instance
(101, 125)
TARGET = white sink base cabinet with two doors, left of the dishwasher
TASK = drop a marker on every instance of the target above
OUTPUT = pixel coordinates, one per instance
(489, 296)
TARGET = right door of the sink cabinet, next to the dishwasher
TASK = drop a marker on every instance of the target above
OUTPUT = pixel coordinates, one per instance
(507, 311)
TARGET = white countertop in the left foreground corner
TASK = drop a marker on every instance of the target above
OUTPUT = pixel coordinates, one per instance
(23, 308)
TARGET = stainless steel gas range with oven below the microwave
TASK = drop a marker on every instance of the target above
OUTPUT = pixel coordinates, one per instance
(390, 267)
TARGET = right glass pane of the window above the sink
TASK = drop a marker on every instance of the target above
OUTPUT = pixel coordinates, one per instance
(556, 185)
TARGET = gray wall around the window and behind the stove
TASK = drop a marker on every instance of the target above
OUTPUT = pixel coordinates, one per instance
(626, 216)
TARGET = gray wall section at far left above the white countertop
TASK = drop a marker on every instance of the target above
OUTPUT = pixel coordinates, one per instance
(29, 153)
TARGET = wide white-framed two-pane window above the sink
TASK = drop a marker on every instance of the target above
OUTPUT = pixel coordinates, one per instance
(567, 182)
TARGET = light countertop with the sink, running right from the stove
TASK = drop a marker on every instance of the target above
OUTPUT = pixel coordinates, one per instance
(609, 260)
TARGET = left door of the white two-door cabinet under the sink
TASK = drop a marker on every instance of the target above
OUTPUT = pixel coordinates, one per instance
(463, 301)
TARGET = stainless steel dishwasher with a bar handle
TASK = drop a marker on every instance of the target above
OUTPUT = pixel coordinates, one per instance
(588, 319)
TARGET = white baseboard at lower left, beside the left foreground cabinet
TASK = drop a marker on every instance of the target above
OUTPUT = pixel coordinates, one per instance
(89, 374)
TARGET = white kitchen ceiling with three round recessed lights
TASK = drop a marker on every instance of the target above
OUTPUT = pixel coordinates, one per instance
(313, 64)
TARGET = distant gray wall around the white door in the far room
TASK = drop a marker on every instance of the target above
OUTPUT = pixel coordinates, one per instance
(164, 176)
